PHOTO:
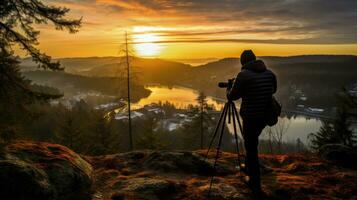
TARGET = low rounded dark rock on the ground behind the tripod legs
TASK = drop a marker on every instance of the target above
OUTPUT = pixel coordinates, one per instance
(184, 162)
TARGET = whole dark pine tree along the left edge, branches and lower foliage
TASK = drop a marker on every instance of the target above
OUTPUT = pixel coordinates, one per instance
(17, 18)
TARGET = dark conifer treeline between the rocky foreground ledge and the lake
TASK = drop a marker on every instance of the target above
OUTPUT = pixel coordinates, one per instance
(95, 132)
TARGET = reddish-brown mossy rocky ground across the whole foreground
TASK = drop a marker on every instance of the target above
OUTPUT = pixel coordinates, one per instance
(151, 175)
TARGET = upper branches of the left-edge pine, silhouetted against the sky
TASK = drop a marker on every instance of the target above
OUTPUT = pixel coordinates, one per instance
(16, 27)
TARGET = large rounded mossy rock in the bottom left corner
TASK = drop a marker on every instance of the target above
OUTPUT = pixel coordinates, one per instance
(37, 170)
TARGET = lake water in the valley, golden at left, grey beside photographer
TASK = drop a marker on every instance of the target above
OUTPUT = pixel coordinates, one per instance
(181, 97)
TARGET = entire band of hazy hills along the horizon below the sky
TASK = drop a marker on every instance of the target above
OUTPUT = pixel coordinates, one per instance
(317, 75)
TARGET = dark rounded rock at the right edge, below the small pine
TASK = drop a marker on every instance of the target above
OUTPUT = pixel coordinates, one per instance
(339, 154)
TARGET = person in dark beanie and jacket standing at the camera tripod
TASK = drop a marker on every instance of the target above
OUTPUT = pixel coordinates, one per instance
(255, 84)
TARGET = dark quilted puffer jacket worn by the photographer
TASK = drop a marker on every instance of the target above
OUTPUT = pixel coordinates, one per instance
(255, 84)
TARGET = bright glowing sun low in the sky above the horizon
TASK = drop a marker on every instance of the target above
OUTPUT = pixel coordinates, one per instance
(145, 44)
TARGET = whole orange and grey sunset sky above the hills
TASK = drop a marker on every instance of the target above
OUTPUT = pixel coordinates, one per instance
(186, 29)
